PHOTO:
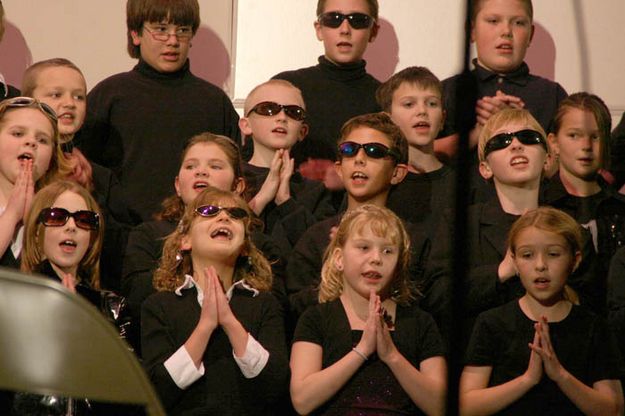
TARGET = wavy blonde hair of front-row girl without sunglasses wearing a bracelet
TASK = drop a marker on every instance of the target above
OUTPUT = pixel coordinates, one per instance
(383, 223)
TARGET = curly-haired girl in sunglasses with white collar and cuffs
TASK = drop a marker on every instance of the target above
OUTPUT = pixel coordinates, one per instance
(213, 336)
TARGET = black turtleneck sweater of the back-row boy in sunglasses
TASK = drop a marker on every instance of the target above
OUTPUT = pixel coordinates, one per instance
(333, 94)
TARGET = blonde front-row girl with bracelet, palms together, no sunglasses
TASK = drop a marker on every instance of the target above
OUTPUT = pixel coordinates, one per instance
(365, 347)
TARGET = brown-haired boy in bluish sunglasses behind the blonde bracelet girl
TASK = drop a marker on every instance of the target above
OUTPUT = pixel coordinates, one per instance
(372, 159)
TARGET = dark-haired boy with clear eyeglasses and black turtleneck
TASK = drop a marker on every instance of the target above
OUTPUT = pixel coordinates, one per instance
(139, 121)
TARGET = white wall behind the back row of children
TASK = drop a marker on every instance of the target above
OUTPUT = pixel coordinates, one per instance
(579, 43)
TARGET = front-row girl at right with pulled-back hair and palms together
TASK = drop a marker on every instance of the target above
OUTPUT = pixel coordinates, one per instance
(542, 354)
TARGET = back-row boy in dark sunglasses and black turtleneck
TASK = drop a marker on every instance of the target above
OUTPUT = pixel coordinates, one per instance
(338, 88)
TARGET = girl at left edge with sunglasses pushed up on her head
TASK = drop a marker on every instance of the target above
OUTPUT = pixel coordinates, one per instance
(30, 157)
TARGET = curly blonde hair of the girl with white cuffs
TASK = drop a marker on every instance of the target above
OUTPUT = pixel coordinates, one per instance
(175, 264)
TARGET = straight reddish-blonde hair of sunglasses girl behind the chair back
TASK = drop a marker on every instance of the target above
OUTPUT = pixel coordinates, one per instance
(33, 256)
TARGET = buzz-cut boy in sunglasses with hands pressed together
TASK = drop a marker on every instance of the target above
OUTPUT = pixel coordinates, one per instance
(275, 120)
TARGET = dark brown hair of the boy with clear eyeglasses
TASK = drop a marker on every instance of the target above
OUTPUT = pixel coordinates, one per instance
(178, 12)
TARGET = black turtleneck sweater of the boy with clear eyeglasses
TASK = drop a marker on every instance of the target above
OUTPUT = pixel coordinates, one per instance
(138, 123)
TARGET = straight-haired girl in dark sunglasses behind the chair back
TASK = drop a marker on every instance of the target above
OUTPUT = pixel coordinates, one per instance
(63, 240)
